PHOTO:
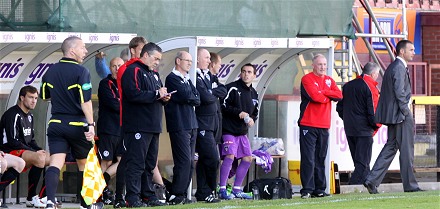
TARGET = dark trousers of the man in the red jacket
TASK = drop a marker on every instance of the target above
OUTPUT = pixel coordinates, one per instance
(313, 143)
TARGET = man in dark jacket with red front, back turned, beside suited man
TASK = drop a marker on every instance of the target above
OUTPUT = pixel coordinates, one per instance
(356, 109)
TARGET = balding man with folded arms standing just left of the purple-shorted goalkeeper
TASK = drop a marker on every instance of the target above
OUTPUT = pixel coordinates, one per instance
(206, 146)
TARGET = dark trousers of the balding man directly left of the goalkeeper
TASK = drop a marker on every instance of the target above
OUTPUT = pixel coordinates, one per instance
(207, 165)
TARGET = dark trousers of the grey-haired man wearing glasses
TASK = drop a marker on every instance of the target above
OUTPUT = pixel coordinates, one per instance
(183, 147)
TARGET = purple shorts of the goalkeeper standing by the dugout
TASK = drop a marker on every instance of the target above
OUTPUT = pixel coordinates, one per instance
(235, 145)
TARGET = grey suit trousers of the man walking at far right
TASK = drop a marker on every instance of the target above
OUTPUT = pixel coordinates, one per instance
(400, 137)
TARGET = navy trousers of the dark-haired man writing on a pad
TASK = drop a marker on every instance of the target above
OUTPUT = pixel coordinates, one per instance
(141, 159)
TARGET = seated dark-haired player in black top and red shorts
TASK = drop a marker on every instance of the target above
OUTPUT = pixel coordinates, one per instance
(18, 125)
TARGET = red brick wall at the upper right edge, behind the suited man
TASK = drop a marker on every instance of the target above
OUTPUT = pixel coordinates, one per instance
(431, 47)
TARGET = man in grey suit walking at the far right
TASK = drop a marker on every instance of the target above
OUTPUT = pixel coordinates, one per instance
(393, 111)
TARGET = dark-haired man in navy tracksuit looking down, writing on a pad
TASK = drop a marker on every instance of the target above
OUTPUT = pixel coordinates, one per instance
(142, 99)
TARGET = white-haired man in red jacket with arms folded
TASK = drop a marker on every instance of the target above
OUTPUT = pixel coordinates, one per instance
(317, 92)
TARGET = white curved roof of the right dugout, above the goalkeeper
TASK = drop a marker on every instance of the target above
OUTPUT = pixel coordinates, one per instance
(267, 54)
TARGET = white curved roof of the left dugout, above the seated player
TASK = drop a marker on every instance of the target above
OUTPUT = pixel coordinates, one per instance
(21, 53)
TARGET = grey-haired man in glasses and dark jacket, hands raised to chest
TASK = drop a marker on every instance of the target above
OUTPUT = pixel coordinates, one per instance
(182, 125)
